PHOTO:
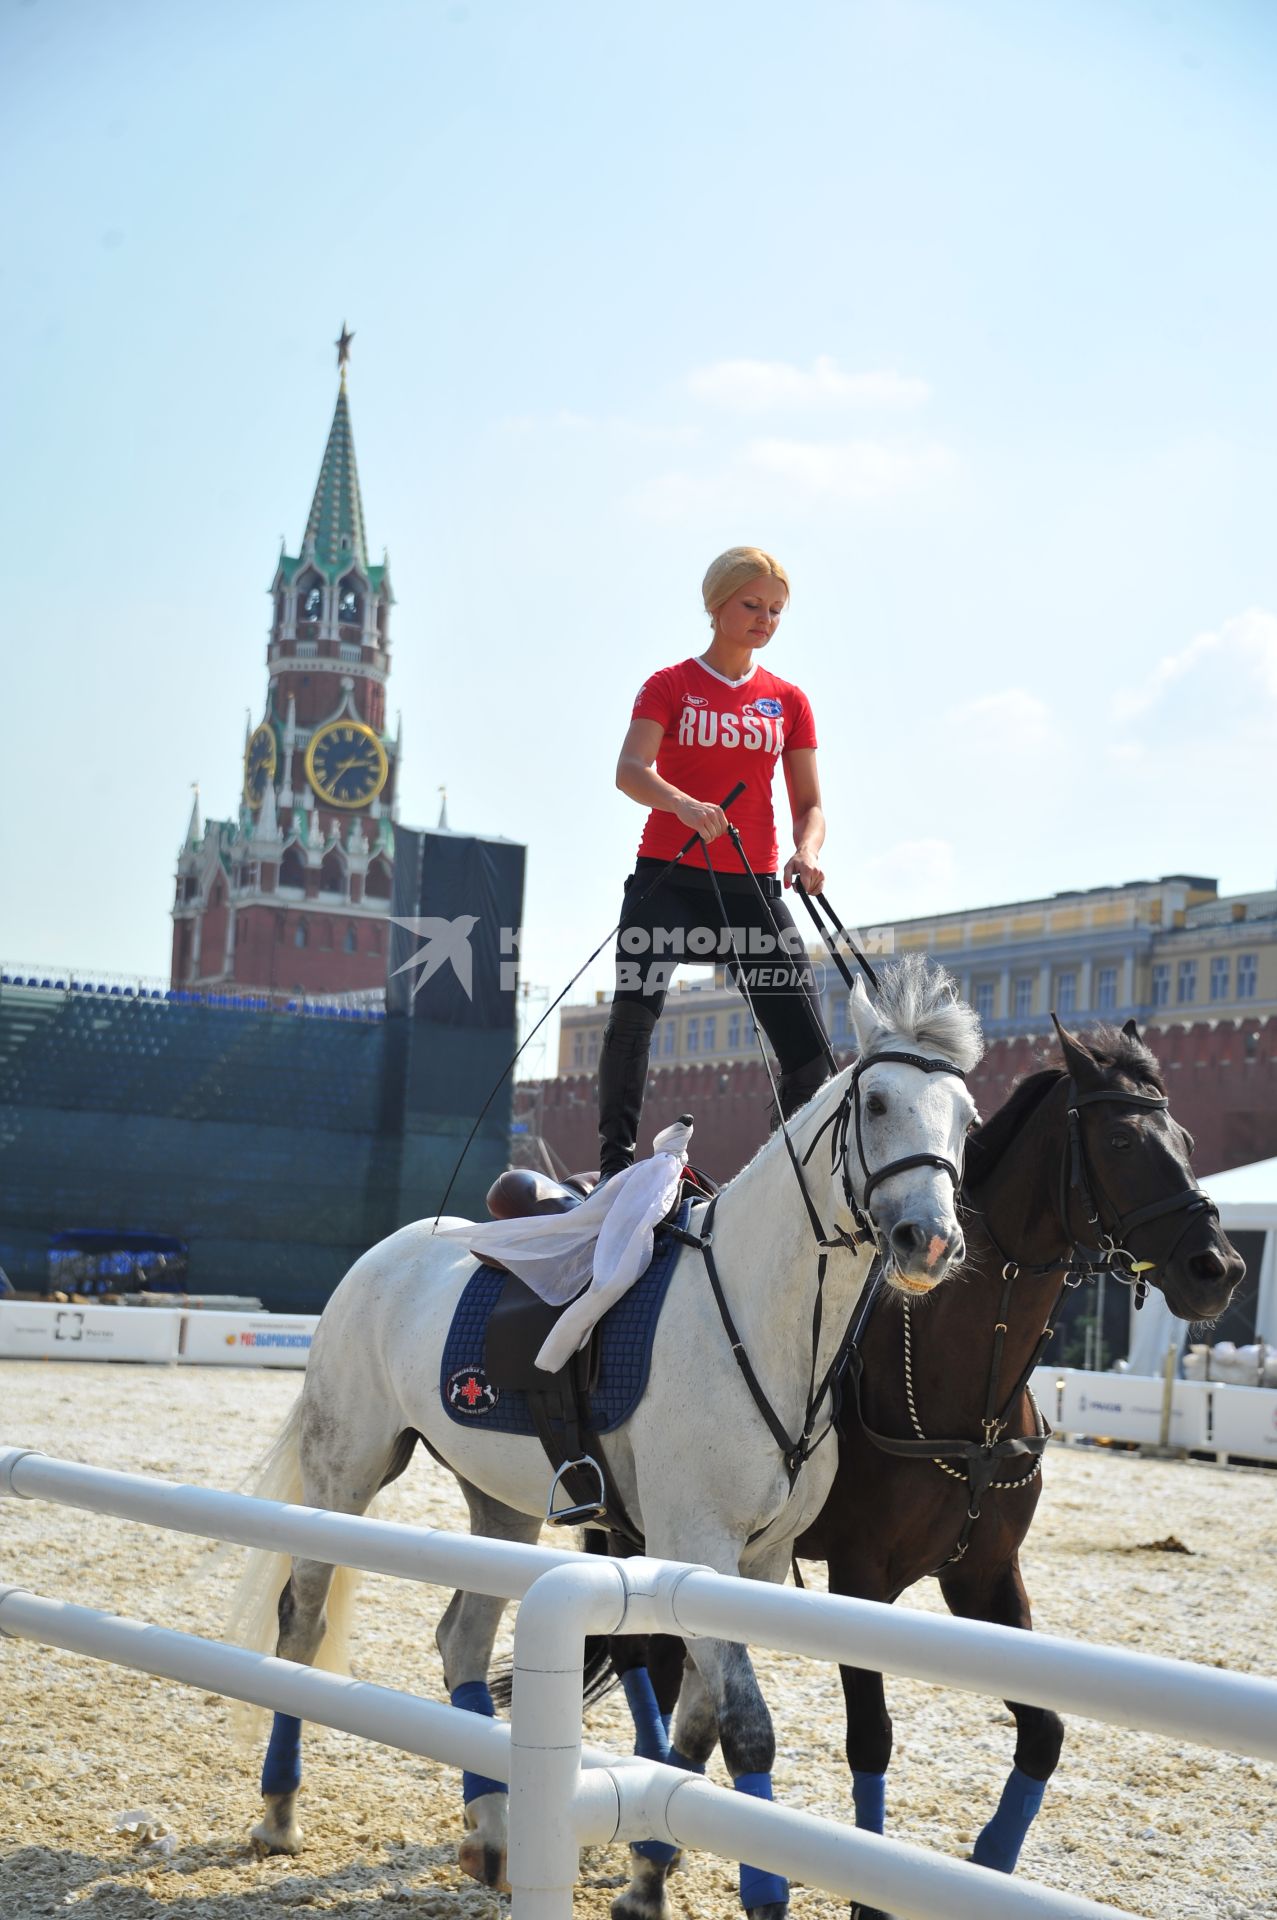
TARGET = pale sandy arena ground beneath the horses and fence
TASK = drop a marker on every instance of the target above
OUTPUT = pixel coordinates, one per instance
(1159, 1827)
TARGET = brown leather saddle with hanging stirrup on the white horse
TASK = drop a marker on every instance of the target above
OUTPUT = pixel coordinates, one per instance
(560, 1403)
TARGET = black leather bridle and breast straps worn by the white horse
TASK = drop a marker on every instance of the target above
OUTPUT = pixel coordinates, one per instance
(844, 1124)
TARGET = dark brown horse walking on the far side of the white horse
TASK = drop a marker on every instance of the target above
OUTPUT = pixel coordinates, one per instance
(1080, 1168)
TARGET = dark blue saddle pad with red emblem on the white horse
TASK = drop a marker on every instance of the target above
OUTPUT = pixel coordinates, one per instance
(627, 1333)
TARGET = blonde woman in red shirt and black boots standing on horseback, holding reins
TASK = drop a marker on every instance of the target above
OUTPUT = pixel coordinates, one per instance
(700, 729)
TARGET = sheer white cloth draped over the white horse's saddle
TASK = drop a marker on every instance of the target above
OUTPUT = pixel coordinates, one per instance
(606, 1241)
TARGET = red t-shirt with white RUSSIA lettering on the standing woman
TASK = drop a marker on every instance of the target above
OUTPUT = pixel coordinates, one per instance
(719, 732)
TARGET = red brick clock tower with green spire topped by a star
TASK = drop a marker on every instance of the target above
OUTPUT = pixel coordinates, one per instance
(293, 896)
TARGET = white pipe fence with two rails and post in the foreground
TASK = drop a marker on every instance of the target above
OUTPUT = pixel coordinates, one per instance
(564, 1794)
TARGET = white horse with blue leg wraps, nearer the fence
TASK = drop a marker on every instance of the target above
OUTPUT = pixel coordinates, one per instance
(696, 1464)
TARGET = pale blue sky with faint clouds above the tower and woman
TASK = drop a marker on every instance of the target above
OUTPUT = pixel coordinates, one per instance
(963, 310)
